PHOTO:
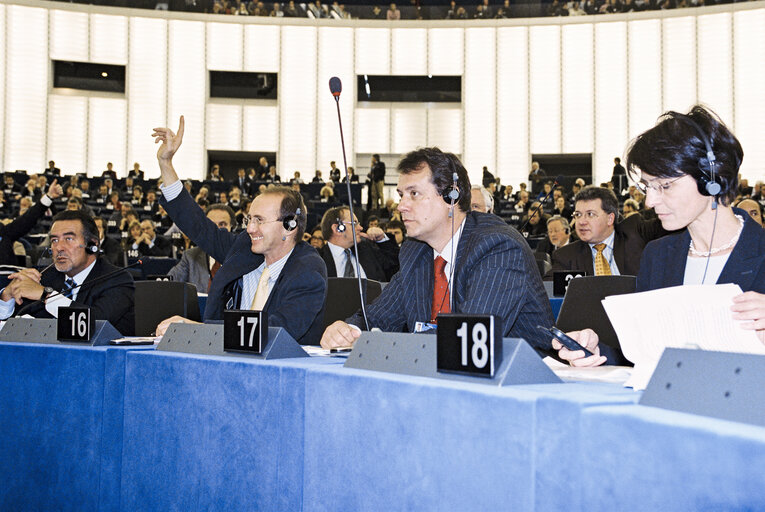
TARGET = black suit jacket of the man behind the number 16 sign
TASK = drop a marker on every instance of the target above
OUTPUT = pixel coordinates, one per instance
(112, 299)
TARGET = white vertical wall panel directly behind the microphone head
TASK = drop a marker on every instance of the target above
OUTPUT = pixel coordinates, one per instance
(335, 59)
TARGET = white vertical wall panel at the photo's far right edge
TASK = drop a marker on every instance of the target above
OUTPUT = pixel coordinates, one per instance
(749, 82)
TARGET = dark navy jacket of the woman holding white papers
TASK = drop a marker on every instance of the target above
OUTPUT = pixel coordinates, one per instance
(664, 260)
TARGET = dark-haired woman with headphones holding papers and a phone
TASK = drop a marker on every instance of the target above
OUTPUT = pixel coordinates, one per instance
(717, 244)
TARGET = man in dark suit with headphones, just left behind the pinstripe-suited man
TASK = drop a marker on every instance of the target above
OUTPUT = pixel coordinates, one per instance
(378, 255)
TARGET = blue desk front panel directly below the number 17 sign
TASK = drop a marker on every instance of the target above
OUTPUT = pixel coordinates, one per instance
(213, 433)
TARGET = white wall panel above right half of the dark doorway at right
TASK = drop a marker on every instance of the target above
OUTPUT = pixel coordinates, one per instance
(576, 89)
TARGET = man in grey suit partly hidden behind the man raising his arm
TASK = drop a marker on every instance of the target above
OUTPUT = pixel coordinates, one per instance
(196, 267)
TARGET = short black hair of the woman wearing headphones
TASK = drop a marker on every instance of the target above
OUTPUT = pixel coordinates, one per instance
(674, 147)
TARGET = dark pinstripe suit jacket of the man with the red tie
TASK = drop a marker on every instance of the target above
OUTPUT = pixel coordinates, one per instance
(495, 273)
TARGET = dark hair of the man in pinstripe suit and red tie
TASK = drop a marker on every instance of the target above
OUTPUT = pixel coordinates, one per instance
(442, 166)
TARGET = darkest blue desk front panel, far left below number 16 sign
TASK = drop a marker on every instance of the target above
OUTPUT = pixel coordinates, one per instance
(61, 424)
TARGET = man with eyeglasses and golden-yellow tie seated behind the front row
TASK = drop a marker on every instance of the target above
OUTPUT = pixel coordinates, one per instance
(604, 246)
